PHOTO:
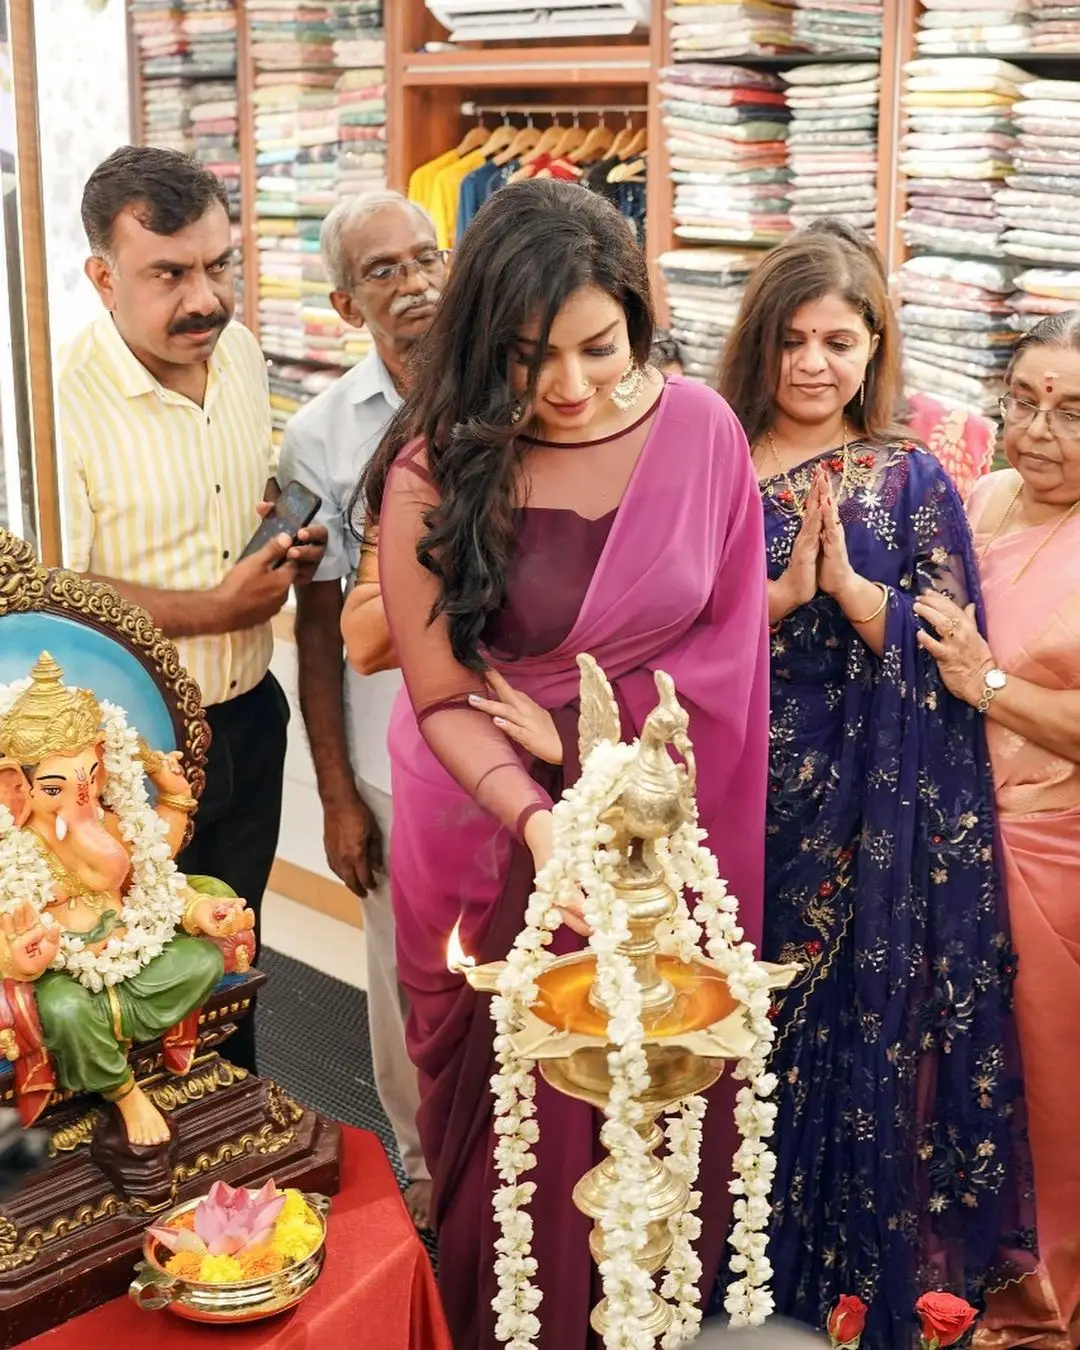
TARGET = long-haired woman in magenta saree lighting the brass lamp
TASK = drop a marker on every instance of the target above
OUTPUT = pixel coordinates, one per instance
(546, 493)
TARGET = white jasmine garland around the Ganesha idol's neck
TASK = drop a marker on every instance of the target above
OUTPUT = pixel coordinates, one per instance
(155, 904)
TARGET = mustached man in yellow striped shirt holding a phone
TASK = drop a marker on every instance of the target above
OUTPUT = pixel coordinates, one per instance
(167, 460)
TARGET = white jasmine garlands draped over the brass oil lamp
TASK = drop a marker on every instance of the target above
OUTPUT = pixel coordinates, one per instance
(584, 865)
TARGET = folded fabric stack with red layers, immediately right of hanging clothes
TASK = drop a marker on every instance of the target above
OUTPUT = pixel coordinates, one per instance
(726, 130)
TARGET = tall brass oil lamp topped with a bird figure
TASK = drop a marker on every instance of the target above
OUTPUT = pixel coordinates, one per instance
(692, 1023)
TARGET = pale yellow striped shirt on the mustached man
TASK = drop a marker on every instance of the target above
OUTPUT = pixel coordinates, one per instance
(160, 492)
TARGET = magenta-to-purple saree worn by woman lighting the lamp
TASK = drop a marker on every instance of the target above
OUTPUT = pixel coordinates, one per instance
(680, 587)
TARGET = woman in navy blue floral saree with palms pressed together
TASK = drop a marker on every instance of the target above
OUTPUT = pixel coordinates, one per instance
(902, 1163)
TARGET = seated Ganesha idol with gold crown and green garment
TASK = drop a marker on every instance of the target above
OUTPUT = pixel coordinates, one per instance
(103, 943)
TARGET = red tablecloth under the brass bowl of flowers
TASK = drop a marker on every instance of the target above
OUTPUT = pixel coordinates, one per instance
(377, 1276)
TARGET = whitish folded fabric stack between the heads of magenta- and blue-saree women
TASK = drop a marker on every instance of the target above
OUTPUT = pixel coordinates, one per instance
(704, 288)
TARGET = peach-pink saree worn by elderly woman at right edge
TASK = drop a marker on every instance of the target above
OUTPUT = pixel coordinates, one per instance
(1035, 632)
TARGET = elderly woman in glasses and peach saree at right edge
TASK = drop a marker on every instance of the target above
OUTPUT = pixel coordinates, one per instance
(1027, 678)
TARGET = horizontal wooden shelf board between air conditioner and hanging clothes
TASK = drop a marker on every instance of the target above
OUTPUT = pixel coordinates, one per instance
(526, 68)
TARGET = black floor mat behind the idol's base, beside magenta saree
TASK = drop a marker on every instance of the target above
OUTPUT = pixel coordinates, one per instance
(314, 1040)
